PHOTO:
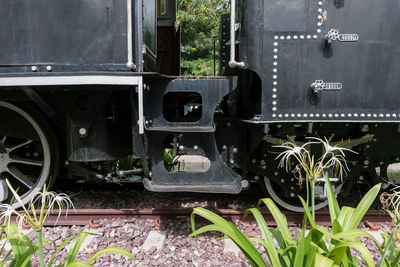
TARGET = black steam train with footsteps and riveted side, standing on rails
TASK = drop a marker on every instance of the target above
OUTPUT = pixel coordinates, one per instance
(83, 82)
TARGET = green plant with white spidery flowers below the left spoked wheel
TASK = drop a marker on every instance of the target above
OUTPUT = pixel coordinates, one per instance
(22, 249)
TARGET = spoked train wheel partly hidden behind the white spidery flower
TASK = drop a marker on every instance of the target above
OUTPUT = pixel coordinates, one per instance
(291, 202)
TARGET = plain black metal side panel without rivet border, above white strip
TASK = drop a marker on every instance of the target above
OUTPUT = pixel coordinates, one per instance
(62, 33)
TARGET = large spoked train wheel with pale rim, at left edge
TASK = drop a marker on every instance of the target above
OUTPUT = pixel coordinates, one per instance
(28, 152)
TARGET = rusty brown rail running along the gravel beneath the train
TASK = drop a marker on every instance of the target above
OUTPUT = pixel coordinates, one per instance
(93, 216)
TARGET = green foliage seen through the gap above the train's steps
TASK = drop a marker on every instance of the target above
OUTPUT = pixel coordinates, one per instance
(199, 21)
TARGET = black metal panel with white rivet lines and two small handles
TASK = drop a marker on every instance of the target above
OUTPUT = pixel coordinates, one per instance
(296, 53)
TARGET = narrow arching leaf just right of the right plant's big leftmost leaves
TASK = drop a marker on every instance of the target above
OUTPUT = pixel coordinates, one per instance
(270, 245)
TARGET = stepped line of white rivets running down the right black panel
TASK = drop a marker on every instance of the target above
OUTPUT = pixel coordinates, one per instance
(275, 51)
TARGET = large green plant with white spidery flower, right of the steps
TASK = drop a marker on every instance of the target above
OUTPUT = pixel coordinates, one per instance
(320, 247)
